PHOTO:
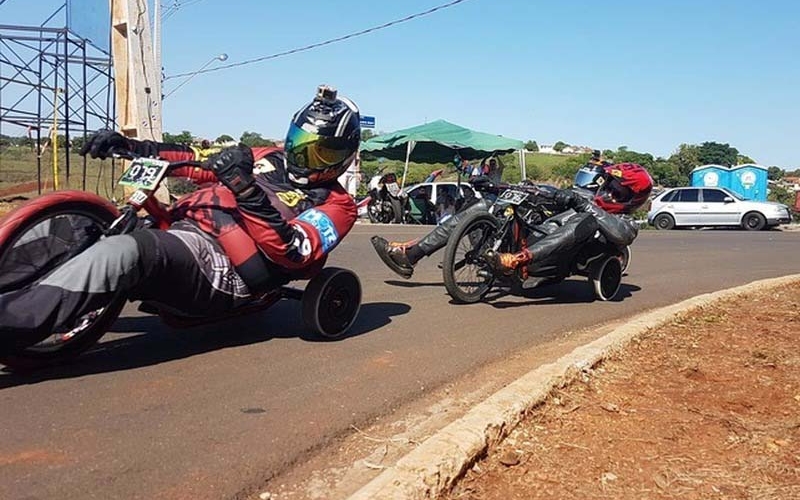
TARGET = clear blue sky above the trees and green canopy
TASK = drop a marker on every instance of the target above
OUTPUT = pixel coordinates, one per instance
(646, 74)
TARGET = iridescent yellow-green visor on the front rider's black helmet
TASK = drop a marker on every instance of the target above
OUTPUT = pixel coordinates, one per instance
(316, 152)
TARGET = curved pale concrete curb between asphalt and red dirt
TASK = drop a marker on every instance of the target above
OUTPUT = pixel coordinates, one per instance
(432, 468)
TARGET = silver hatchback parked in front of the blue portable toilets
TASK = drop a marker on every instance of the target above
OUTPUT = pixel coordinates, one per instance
(713, 206)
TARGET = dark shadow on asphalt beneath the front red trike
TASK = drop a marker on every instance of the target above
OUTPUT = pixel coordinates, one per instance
(124, 349)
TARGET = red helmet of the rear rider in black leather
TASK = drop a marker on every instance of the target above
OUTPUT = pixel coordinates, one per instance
(624, 187)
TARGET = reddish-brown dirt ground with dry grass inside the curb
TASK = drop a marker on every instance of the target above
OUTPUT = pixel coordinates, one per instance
(705, 407)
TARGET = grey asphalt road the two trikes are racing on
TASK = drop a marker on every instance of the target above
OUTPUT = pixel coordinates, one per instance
(213, 412)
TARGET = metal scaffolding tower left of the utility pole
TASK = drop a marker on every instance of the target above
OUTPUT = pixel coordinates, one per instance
(53, 81)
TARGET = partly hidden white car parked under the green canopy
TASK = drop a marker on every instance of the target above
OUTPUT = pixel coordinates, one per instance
(434, 202)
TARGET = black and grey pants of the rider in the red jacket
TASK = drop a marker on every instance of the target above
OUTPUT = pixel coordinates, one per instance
(181, 269)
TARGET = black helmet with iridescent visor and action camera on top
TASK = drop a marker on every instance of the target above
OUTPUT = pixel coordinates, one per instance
(323, 139)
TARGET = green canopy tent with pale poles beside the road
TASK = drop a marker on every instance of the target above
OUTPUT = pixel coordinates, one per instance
(438, 142)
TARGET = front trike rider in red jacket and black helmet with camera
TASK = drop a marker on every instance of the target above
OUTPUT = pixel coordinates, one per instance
(273, 215)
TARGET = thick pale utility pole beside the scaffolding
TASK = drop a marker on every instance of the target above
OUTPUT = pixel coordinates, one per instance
(137, 78)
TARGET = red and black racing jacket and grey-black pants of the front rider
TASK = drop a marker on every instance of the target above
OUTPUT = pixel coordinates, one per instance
(215, 256)
